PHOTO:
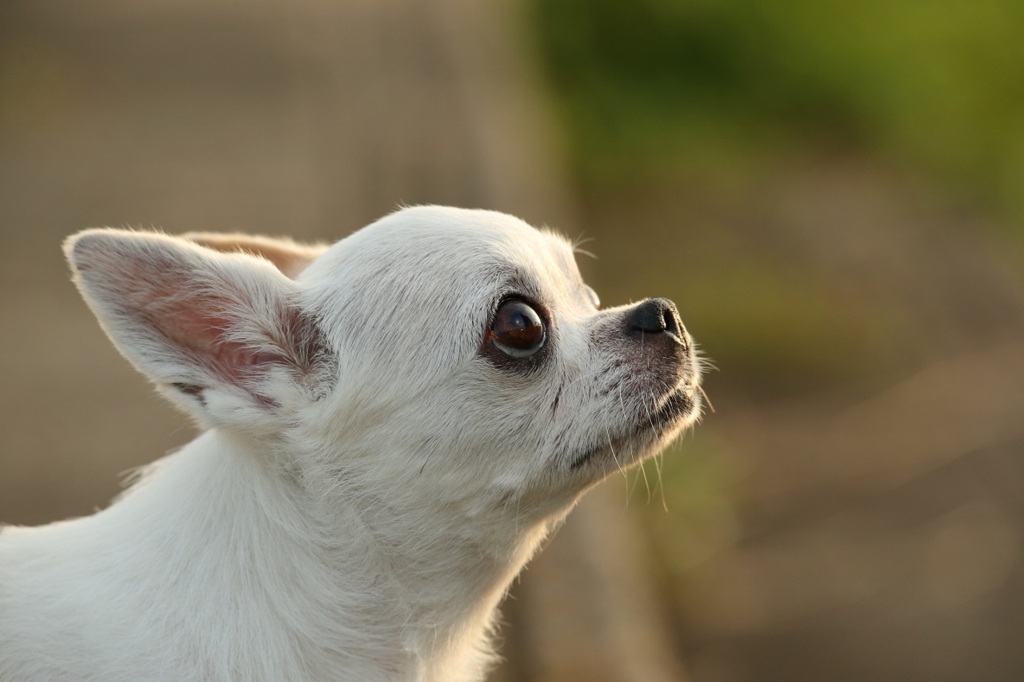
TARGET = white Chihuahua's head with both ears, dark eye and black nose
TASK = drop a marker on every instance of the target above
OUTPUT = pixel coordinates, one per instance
(440, 357)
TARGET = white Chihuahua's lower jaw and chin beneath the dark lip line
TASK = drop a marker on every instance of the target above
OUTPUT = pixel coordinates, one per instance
(673, 414)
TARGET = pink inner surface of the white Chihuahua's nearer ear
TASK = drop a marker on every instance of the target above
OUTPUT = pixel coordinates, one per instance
(198, 309)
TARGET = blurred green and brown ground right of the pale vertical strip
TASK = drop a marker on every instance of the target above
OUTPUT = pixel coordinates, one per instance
(834, 195)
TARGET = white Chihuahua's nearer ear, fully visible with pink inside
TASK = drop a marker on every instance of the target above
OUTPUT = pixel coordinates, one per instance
(220, 333)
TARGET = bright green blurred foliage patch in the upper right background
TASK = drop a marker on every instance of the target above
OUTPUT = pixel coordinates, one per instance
(665, 87)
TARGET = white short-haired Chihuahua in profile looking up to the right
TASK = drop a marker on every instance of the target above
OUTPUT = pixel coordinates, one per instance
(392, 427)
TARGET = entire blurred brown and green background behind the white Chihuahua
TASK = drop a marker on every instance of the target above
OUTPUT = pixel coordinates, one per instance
(833, 193)
